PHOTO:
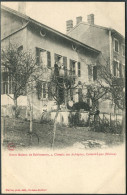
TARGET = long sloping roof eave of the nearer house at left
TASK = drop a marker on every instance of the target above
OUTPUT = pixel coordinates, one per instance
(48, 28)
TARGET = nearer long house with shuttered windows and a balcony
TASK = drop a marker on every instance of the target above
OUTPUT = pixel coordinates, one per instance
(49, 47)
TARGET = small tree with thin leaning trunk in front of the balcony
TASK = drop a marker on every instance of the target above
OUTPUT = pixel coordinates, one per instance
(61, 82)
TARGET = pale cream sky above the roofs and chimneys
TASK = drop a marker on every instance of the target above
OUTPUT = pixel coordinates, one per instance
(55, 14)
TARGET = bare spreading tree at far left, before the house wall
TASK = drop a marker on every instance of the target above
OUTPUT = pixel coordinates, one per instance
(21, 69)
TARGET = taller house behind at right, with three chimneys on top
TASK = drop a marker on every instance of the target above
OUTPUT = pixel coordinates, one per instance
(107, 40)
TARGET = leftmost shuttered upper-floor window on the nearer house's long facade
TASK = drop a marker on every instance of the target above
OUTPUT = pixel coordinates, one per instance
(43, 57)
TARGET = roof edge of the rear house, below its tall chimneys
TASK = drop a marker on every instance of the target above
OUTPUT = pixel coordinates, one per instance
(97, 26)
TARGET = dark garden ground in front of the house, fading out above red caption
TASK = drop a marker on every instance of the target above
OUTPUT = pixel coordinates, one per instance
(79, 137)
